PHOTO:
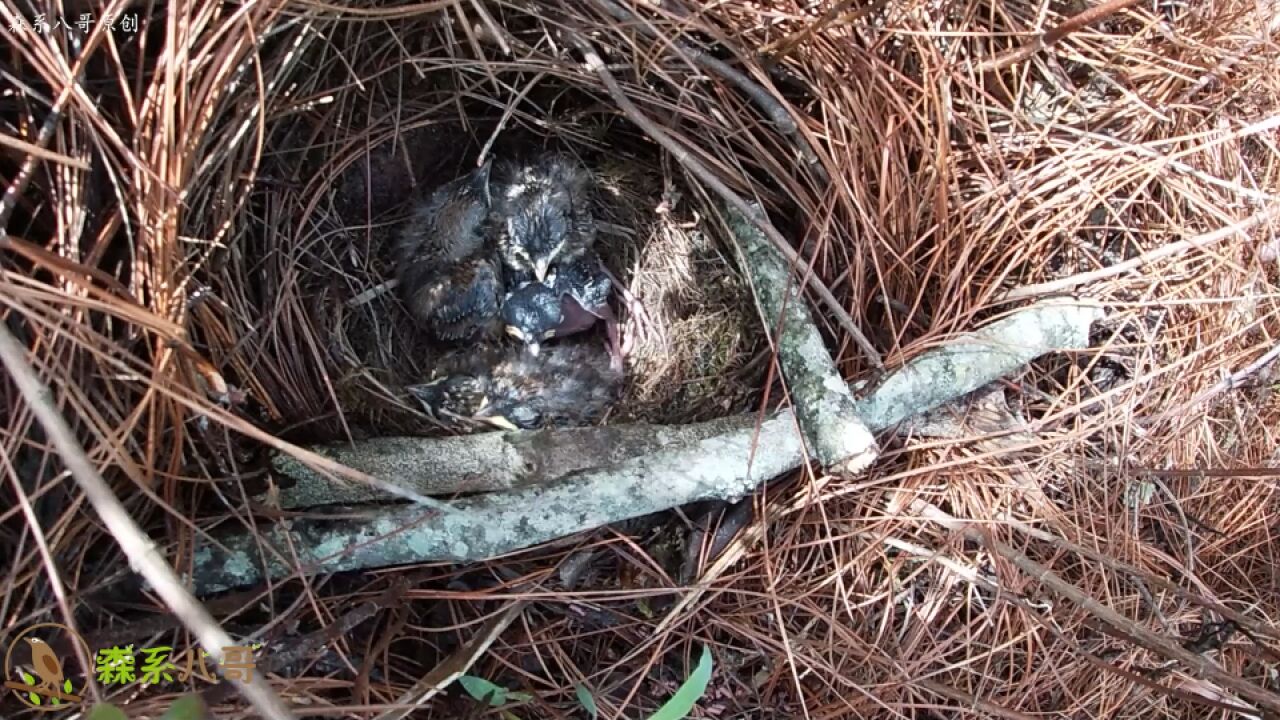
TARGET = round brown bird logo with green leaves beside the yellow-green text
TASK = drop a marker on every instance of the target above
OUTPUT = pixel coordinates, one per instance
(42, 685)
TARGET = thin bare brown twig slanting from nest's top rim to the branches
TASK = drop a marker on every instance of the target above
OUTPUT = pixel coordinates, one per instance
(710, 179)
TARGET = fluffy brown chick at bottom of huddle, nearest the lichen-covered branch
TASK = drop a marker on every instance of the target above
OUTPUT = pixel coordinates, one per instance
(566, 385)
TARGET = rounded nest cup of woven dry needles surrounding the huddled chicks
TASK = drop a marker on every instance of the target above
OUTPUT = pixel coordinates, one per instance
(346, 162)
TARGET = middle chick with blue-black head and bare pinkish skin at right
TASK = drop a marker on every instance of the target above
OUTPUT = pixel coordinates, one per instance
(573, 299)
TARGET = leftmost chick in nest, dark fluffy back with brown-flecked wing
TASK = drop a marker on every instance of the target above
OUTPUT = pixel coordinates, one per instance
(449, 275)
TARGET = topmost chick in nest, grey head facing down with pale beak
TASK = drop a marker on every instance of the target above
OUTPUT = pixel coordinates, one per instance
(543, 215)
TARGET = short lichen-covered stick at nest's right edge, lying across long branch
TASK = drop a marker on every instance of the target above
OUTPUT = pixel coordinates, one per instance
(824, 404)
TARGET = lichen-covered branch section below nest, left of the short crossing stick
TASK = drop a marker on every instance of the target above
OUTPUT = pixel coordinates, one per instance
(728, 466)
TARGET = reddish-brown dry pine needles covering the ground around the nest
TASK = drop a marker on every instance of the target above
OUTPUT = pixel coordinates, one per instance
(226, 183)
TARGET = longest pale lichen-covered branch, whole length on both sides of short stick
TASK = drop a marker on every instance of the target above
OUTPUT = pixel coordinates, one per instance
(689, 467)
